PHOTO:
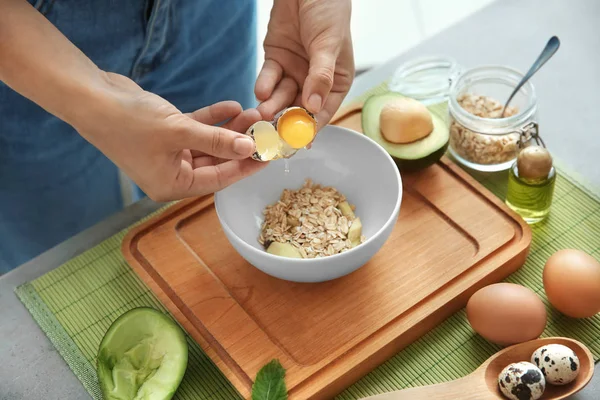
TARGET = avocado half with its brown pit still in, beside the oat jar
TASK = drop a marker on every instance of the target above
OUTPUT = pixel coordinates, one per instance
(430, 144)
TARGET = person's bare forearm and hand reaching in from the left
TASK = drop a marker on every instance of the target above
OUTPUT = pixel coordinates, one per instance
(170, 155)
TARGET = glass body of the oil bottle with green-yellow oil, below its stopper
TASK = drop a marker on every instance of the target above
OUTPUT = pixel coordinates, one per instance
(530, 198)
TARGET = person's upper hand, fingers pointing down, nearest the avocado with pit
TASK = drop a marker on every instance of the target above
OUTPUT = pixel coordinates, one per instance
(309, 59)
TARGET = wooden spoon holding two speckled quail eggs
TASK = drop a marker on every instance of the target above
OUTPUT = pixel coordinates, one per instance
(483, 382)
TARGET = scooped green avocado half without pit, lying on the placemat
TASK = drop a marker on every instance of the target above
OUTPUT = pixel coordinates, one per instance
(143, 356)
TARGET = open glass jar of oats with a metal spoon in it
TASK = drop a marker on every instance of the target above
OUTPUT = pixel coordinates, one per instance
(479, 138)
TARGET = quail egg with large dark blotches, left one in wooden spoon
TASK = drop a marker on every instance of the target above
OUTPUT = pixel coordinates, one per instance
(522, 381)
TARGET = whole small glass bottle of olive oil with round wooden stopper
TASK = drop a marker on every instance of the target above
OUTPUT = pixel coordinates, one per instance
(531, 182)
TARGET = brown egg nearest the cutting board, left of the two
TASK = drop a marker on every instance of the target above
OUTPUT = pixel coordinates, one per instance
(506, 313)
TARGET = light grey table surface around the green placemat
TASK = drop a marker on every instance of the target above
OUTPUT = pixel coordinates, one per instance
(506, 32)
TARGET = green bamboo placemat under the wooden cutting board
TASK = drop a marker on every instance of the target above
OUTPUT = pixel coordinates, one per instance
(75, 304)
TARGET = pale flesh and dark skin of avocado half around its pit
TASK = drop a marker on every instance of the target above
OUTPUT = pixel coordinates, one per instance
(410, 156)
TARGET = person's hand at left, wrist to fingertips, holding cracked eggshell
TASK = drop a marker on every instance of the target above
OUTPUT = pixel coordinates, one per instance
(170, 155)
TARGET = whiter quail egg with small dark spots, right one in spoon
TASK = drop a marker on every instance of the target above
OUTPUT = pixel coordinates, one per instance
(558, 363)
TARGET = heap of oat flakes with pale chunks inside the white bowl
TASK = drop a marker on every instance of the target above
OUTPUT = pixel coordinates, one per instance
(312, 221)
